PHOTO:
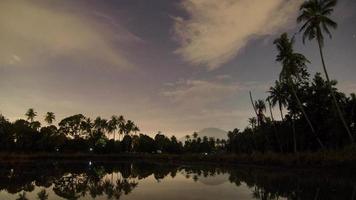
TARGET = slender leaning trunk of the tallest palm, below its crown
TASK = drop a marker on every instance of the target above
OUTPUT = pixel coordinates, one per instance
(333, 94)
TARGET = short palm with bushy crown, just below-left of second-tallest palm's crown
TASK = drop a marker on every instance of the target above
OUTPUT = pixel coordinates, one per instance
(277, 95)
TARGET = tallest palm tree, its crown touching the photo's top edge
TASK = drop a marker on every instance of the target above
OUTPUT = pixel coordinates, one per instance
(315, 16)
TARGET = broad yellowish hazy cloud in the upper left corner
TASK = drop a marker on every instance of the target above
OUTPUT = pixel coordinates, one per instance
(36, 34)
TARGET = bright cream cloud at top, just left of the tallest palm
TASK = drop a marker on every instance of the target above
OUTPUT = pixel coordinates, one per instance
(217, 30)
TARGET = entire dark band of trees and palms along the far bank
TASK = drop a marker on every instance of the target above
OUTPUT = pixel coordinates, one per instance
(314, 114)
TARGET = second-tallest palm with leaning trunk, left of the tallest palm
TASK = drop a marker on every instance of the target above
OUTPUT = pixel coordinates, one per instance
(293, 64)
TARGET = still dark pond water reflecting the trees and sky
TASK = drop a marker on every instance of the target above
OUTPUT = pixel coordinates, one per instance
(142, 180)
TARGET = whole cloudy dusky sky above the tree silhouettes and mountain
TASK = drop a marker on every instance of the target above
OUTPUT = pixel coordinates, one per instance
(174, 66)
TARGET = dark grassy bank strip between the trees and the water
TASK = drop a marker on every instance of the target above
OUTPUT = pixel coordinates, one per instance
(294, 161)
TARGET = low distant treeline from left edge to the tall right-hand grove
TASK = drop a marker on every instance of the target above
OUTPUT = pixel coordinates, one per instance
(78, 133)
